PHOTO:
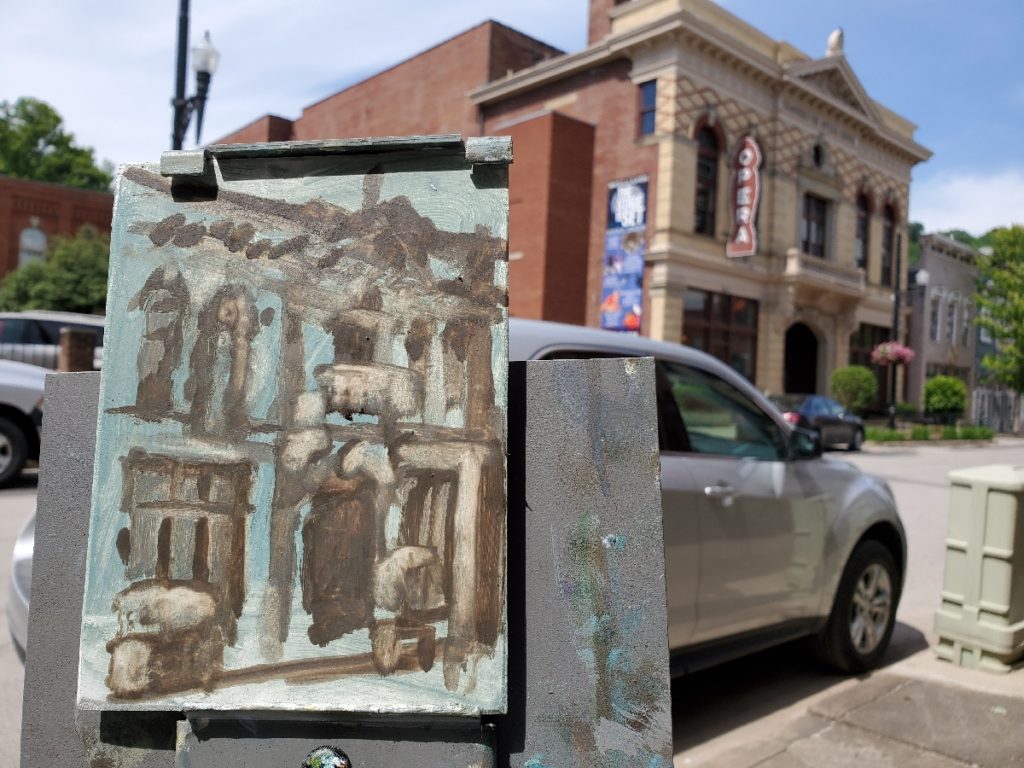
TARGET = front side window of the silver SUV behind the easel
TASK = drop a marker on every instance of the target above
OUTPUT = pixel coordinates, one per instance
(718, 419)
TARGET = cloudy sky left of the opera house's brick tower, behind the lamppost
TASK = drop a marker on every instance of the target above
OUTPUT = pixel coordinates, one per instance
(109, 68)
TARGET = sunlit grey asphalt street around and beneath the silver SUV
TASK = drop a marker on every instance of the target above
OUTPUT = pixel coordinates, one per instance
(746, 704)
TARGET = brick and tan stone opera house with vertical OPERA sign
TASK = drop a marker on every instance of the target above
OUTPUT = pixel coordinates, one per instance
(635, 158)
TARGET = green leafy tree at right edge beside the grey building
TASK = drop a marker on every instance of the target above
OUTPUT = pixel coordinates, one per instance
(1001, 305)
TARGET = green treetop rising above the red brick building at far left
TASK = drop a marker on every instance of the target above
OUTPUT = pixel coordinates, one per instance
(34, 145)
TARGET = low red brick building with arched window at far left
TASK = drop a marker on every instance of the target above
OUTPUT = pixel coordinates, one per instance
(32, 212)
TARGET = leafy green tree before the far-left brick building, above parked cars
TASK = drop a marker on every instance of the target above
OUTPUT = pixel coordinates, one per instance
(73, 278)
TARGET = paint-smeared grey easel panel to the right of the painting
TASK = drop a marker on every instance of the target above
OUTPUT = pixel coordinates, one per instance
(589, 667)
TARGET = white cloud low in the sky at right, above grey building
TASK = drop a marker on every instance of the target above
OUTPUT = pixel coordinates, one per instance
(975, 202)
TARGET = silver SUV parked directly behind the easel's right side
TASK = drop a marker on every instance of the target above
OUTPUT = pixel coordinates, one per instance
(764, 540)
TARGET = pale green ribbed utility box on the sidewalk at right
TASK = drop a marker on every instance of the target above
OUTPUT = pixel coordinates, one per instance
(982, 620)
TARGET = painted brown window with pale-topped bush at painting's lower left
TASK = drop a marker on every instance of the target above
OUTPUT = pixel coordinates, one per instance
(174, 631)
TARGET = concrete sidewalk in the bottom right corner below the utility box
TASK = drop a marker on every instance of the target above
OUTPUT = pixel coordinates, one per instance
(919, 713)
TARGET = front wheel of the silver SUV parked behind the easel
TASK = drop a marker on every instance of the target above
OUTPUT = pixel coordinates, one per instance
(865, 612)
